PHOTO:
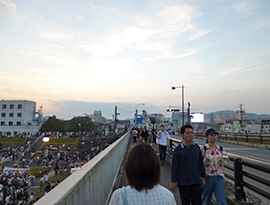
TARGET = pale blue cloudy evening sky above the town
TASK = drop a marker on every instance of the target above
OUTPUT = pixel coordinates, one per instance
(74, 57)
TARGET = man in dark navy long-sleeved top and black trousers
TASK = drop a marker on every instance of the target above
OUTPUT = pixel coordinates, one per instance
(188, 172)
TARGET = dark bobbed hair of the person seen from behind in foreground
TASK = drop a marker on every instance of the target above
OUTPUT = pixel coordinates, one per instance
(142, 167)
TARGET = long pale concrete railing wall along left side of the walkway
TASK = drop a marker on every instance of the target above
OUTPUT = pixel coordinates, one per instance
(93, 183)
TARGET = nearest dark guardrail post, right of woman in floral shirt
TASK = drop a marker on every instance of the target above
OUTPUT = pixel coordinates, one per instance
(238, 180)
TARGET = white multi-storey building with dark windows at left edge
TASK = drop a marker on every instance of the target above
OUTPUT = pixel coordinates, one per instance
(17, 116)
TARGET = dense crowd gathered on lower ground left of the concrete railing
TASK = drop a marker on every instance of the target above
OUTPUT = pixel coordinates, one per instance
(15, 185)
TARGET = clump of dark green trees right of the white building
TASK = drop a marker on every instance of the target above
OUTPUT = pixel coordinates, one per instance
(76, 124)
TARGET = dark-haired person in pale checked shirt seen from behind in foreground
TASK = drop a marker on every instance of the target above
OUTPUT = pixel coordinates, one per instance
(143, 175)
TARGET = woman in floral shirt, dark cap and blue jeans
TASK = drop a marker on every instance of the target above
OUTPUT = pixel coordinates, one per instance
(214, 166)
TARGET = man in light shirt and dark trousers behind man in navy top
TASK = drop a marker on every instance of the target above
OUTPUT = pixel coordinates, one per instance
(163, 137)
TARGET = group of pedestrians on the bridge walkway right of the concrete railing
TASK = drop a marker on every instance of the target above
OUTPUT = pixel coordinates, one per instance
(196, 171)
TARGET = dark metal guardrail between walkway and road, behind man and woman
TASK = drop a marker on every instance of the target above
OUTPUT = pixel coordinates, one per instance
(239, 183)
